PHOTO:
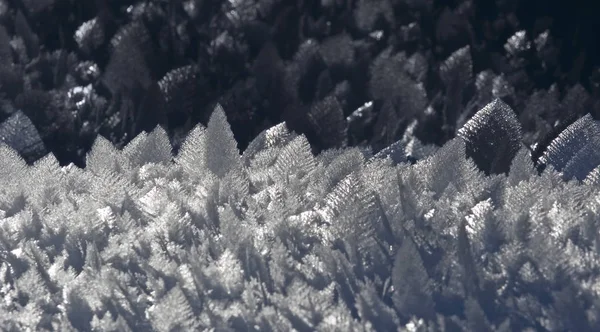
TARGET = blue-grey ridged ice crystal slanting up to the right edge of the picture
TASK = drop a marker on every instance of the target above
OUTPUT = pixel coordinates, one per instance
(570, 141)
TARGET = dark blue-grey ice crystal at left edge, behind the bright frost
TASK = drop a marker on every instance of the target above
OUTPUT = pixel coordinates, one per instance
(19, 133)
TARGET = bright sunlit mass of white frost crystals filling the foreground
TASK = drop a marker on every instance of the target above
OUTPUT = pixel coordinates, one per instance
(466, 237)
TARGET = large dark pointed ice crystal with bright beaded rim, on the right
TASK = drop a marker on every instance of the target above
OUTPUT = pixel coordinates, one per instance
(493, 137)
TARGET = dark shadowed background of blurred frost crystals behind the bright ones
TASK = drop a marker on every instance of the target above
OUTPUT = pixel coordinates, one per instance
(344, 72)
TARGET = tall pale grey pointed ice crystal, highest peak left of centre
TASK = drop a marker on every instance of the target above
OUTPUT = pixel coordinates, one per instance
(222, 154)
